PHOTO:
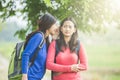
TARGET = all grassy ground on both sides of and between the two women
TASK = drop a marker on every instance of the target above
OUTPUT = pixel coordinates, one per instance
(102, 58)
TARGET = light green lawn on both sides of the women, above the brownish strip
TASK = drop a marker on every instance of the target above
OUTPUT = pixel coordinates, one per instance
(100, 55)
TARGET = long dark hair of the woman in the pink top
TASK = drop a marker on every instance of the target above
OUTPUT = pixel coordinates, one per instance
(74, 39)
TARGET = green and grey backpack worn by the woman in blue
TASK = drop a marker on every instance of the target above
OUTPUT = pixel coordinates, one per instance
(14, 70)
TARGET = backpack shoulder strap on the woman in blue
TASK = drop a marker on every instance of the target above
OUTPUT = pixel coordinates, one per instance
(37, 50)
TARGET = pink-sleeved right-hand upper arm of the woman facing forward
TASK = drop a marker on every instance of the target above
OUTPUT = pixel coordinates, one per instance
(83, 58)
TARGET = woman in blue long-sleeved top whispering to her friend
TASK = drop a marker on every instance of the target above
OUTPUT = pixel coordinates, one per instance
(47, 26)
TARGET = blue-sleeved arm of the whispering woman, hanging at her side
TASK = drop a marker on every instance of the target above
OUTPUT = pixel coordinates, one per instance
(30, 48)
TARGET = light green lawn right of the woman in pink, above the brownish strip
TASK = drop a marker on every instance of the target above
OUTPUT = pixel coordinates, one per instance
(103, 55)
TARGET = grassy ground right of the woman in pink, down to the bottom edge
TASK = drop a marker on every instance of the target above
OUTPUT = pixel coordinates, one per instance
(104, 59)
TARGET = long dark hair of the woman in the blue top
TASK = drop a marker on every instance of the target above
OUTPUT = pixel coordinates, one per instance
(44, 23)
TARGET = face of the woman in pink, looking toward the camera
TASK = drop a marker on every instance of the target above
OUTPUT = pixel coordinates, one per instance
(68, 28)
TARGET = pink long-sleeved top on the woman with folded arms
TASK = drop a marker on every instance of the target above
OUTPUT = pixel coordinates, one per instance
(64, 60)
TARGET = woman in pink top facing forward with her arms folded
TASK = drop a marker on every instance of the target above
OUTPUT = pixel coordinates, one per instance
(65, 65)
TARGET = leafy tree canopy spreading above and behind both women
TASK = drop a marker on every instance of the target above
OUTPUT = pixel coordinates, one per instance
(90, 15)
